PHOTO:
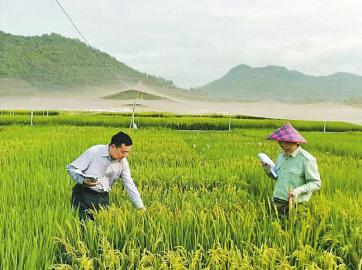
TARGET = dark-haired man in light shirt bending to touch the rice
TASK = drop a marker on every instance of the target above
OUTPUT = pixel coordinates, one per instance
(95, 172)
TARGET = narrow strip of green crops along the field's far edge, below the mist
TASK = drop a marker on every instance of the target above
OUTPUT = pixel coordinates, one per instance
(208, 122)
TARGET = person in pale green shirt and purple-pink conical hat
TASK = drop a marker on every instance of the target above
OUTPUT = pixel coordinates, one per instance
(296, 170)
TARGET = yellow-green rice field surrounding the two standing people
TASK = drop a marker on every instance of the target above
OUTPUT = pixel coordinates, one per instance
(207, 199)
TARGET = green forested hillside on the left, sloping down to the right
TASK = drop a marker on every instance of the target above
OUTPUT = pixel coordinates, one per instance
(51, 62)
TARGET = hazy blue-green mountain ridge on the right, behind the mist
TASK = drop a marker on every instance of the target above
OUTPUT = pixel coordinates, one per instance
(274, 82)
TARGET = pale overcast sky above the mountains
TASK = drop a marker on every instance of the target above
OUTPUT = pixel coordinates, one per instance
(194, 42)
